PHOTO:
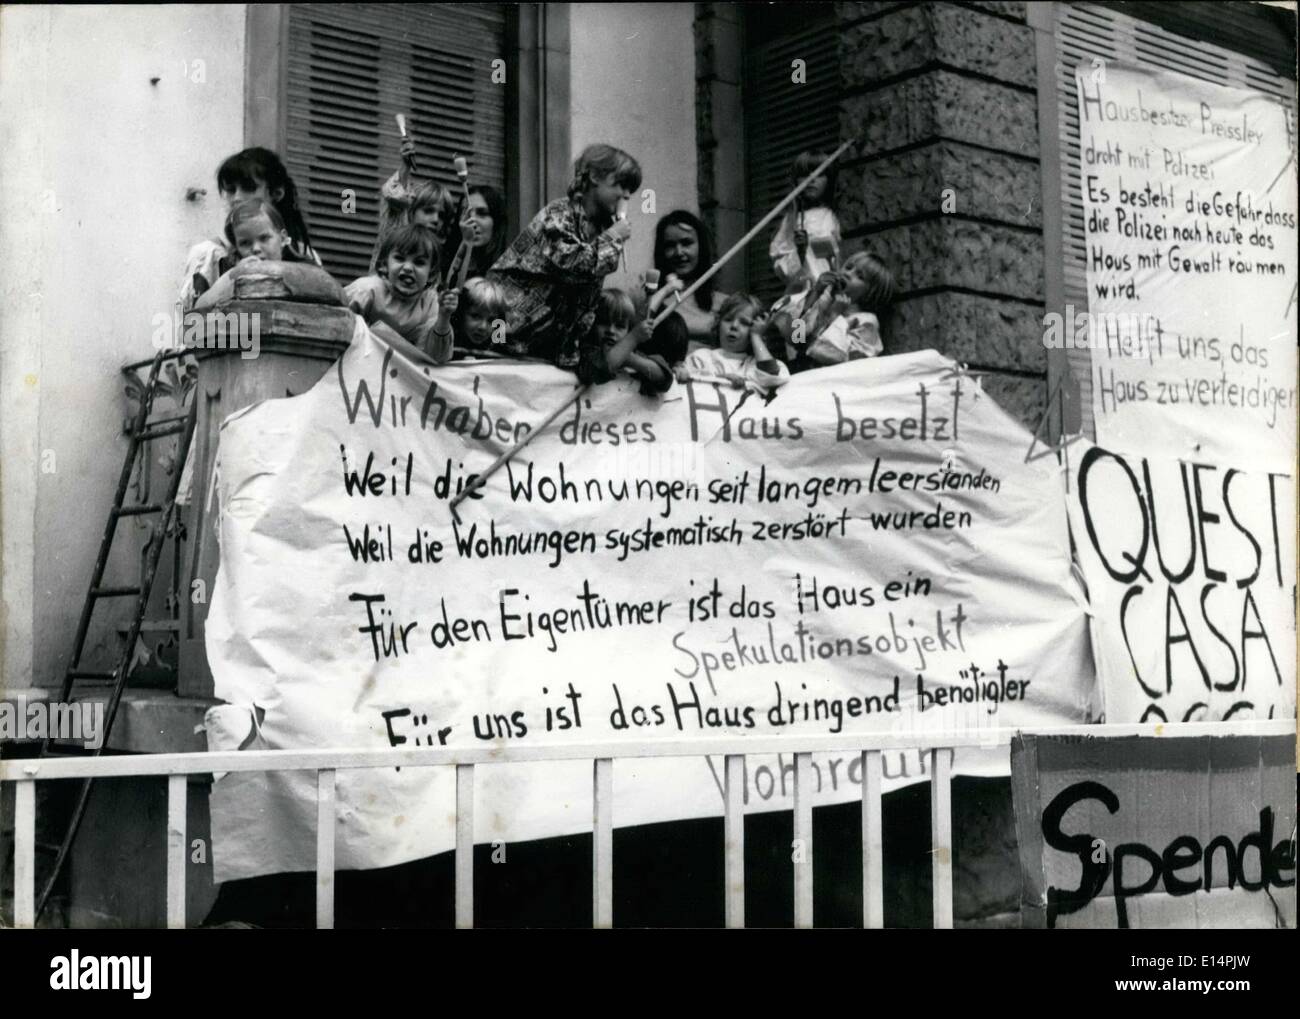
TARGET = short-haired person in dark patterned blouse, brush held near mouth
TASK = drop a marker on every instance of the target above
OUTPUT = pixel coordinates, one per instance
(552, 274)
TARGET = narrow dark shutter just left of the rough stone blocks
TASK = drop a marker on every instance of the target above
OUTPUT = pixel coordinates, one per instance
(783, 119)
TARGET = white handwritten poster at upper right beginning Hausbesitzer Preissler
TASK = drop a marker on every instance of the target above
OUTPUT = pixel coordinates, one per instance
(1190, 203)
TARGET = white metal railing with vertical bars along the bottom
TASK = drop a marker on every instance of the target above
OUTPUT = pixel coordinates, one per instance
(327, 764)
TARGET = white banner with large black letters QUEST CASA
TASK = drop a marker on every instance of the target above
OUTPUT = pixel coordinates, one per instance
(1191, 573)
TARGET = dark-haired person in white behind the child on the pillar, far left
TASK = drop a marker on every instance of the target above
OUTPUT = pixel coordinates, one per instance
(253, 174)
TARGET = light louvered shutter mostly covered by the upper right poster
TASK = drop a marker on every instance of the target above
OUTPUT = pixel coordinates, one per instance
(1085, 32)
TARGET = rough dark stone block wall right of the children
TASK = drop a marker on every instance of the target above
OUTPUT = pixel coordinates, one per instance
(942, 99)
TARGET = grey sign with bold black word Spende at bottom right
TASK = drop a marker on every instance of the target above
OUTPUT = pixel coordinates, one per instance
(1156, 834)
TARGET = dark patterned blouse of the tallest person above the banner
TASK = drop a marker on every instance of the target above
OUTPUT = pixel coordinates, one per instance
(553, 276)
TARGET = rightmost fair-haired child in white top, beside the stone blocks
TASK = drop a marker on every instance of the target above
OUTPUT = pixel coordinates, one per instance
(843, 322)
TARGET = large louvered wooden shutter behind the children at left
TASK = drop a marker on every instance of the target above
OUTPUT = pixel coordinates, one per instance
(352, 70)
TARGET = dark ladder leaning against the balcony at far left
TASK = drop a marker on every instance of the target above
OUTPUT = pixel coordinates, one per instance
(144, 431)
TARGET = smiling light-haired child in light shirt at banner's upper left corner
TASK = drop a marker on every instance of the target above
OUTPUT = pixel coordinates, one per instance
(400, 294)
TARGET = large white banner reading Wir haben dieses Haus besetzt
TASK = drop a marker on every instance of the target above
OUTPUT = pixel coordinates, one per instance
(868, 552)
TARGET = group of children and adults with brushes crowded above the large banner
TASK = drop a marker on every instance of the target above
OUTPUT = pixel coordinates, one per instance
(544, 296)
